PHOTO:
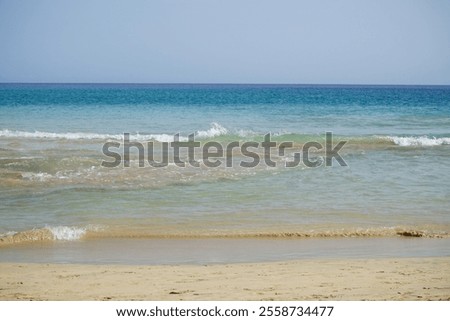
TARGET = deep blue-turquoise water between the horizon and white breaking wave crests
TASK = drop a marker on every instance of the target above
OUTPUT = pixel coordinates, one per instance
(347, 110)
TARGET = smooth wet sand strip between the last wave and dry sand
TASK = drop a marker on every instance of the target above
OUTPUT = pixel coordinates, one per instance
(201, 251)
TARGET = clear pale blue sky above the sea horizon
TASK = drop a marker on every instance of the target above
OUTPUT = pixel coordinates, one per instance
(226, 41)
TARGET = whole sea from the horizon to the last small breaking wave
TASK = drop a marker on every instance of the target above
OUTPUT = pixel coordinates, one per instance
(53, 187)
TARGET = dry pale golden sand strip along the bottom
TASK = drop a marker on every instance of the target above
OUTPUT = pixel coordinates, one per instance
(317, 279)
